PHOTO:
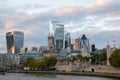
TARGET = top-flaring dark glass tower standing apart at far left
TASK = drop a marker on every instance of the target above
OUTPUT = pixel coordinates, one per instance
(15, 41)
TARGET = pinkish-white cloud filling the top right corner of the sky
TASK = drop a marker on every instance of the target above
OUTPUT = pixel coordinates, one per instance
(104, 6)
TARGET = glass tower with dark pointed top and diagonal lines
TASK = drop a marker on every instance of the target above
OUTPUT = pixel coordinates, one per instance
(85, 46)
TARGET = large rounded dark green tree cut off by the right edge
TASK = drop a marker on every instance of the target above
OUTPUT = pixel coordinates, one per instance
(115, 58)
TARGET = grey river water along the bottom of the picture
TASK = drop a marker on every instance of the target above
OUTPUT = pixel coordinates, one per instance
(23, 76)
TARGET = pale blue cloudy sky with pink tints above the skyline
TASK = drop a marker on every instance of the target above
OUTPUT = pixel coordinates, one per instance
(99, 20)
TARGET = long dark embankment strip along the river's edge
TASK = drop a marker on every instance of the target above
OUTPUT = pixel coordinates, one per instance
(95, 74)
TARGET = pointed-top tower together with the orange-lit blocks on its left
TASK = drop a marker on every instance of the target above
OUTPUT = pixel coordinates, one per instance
(83, 45)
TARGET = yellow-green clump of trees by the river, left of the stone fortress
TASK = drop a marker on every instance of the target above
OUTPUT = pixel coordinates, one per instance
(42, 64)
